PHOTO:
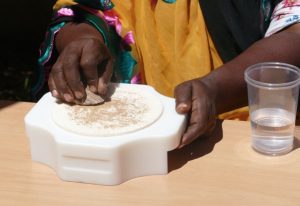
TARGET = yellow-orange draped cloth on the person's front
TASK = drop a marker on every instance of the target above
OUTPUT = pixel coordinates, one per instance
(172, 44)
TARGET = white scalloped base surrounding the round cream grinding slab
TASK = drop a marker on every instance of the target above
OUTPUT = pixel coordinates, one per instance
(107, 160)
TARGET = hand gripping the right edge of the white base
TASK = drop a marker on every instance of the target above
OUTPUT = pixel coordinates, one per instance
(196, 99)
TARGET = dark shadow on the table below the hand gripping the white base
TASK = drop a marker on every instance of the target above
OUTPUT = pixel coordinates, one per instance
(200, 147)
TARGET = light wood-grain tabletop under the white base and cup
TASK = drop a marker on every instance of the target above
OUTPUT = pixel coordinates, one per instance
(220, 170)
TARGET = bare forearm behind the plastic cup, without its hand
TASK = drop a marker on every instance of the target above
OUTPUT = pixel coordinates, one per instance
(227, 82)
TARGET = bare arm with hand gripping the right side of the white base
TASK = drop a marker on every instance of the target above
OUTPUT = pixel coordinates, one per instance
(225, 89)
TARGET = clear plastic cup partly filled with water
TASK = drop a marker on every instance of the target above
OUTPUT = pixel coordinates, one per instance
(273, 90)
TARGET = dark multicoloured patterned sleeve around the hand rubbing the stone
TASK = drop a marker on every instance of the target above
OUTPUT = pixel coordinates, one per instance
(108, 26)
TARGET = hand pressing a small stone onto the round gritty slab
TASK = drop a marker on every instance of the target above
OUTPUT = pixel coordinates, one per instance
(81, 51)
